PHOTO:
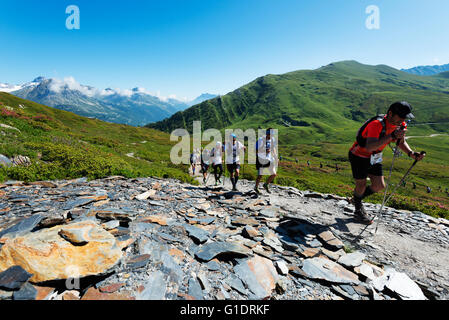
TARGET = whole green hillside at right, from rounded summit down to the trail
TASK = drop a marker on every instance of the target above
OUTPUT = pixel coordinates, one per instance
(318, 112)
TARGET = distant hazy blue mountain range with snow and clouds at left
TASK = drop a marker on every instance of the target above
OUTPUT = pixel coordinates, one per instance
(134, 107)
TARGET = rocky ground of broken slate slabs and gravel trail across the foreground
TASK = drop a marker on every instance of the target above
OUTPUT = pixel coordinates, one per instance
(158, 239)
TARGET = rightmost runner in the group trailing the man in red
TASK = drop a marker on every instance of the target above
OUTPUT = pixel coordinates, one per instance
(266, 158)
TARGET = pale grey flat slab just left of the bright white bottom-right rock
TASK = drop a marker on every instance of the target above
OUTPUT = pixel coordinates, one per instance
(324, 269)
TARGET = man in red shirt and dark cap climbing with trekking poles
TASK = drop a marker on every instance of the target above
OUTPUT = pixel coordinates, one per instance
(365, 154)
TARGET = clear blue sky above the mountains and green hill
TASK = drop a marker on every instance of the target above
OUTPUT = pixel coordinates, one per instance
(186, 48)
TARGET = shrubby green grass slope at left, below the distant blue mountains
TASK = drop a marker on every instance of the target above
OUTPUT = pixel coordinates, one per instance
(64, 145)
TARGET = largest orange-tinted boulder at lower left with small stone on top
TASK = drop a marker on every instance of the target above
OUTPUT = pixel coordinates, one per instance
(48, 256)
